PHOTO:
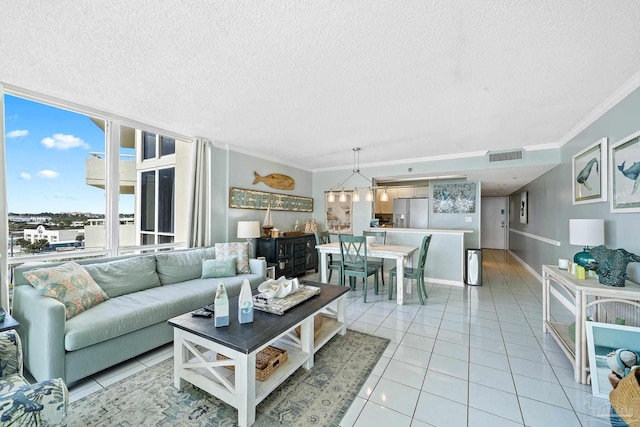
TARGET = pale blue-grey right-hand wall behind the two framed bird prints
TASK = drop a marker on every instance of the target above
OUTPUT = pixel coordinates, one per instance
(550, 199)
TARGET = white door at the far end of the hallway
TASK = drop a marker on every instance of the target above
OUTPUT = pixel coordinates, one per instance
(493, 222)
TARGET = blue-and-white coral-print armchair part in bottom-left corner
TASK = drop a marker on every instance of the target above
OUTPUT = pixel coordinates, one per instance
(43, 403)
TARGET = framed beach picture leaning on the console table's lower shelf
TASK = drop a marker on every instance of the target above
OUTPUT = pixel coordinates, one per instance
(603, 339)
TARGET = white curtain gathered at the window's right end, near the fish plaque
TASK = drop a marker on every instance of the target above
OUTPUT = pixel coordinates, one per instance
(200, 213)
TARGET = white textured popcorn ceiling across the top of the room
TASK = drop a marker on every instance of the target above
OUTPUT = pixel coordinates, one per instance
(305, 81)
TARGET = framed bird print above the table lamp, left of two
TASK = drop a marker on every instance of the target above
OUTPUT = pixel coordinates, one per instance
(589, 174)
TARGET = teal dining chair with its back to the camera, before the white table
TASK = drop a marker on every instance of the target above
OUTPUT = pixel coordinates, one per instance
(353, 250)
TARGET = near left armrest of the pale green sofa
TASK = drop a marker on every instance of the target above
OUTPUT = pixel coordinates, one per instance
(42, 329)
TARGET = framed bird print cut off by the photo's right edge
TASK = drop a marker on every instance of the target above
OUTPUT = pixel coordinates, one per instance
(625, 174)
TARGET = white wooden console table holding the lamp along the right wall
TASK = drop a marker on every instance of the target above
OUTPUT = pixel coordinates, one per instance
(577, 296)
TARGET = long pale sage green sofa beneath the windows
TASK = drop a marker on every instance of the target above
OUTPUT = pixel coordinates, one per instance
(143, 291)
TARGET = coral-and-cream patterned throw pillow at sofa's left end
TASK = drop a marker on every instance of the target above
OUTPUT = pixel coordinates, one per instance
(70, 284)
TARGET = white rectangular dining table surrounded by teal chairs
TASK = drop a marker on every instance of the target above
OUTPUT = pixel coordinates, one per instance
(401, 254)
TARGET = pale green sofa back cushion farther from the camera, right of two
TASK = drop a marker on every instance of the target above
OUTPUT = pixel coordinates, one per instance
(179, 266)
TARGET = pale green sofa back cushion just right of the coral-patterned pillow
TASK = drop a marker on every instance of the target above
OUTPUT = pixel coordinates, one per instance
(125, 276)
